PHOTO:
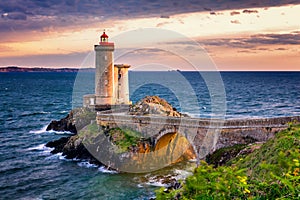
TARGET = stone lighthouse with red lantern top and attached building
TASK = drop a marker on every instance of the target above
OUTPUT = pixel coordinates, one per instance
(111, 81)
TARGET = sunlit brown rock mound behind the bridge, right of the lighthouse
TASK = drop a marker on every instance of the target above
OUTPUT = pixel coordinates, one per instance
(154, 105)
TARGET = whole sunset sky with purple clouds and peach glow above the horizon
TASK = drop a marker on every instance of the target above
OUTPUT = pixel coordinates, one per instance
(236, 35)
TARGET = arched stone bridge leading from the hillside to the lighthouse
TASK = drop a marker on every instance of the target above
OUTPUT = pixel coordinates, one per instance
(205, 135)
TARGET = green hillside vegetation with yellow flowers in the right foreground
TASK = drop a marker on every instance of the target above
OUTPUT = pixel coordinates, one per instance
(271, 172)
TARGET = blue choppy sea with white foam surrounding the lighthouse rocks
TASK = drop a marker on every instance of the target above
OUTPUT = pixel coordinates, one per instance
(30, 101)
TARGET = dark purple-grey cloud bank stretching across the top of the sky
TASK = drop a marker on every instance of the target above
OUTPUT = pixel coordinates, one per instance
(65, 13)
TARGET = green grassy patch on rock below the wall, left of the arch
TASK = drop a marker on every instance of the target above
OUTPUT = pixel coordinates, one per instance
(124, 138)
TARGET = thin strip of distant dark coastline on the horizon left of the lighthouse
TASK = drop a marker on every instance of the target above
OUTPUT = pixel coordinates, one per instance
(39, 69)
